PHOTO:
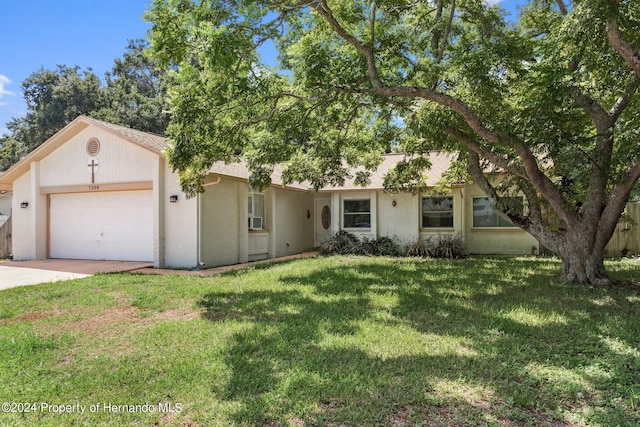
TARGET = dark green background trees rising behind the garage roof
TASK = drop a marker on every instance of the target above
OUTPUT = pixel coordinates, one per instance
(135, 95)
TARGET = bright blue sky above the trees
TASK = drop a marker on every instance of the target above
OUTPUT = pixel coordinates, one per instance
(87, 33)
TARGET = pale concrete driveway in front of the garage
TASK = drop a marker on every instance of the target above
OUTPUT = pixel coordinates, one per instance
(18, 273)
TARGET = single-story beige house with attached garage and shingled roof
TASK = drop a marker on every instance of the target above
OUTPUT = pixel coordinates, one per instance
(96, 190)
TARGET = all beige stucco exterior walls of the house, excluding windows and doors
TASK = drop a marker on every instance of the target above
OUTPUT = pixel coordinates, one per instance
(211, 229)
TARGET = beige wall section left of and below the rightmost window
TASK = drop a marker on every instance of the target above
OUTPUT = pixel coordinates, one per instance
(489, 241)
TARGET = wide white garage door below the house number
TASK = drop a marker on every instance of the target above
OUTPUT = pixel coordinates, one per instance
(108, 225)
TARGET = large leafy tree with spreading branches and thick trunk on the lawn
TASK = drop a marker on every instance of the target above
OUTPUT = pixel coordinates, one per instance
(550, 103)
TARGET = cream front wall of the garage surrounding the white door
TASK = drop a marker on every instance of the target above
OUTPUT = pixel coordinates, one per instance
(120, 161)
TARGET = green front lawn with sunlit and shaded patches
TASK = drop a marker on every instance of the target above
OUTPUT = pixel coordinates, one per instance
(328, 341)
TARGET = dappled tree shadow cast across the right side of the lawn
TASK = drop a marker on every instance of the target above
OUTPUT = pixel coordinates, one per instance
(304, 355)
